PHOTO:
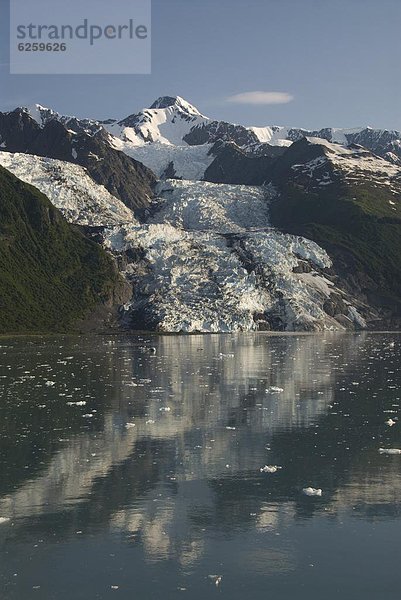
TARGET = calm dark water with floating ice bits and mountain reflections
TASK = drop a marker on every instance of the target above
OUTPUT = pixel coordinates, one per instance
(153, 487)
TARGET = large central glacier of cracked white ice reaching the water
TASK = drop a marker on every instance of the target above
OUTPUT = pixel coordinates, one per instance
(208, 261)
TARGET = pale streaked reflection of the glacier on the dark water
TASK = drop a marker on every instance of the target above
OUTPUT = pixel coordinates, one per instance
(209, 383)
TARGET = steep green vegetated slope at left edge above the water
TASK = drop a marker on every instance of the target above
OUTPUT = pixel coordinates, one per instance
(50, 274)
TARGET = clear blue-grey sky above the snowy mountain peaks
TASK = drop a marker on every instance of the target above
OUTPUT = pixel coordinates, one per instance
(339, 59)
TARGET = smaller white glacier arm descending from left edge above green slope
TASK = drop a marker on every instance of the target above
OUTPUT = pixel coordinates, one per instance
(70, 189)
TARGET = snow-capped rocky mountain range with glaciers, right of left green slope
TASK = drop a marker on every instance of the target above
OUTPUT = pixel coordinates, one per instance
(220, 227)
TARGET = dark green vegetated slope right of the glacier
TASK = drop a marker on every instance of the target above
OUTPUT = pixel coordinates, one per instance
(359, 225)
